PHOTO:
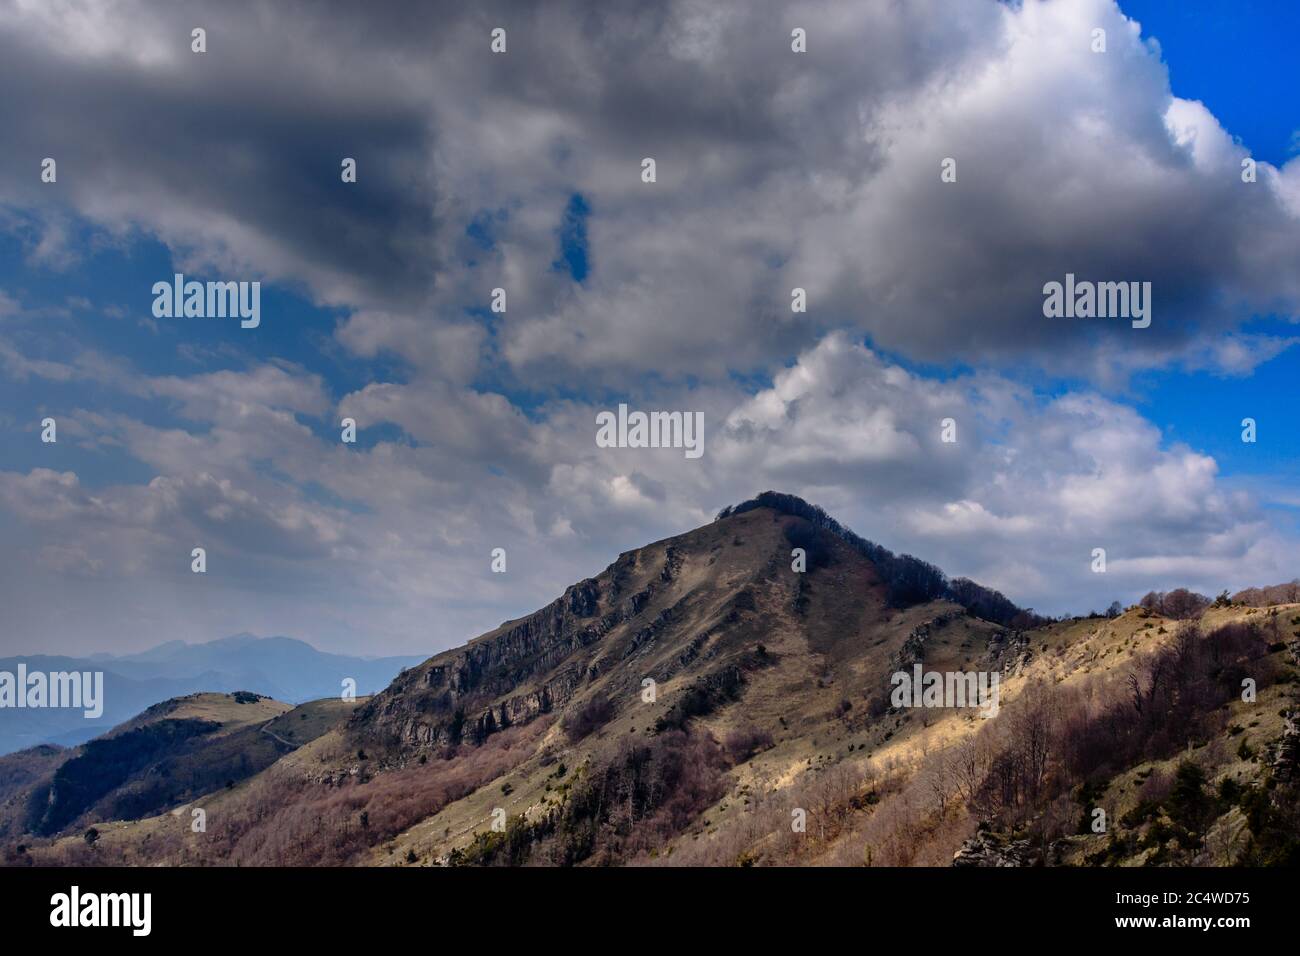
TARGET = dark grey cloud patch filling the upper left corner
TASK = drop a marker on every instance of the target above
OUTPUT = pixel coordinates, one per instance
(231, 157)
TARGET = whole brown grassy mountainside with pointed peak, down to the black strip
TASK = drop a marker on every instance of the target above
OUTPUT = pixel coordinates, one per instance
(700, 702)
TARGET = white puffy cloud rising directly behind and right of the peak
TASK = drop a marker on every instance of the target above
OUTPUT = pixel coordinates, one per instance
(1030, 487)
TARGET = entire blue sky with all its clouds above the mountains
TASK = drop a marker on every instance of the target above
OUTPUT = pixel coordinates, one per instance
(775, 171)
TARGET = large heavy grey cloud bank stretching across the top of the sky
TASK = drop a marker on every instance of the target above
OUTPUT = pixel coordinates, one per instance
(818, 171)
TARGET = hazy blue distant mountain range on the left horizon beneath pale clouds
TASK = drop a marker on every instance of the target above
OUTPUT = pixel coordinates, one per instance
(281, 668)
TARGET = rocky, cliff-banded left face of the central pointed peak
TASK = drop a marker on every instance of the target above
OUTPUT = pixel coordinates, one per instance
(609, 630)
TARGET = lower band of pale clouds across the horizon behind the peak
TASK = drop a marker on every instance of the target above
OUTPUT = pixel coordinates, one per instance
(396, 537)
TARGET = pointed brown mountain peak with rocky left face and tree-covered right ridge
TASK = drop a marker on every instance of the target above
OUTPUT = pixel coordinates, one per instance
(694, 608)
